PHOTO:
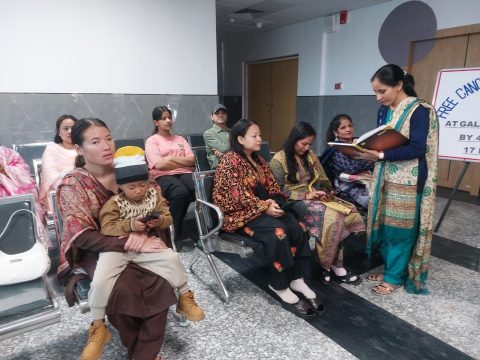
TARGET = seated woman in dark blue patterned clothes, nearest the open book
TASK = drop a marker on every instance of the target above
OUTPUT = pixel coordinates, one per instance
(350, 177)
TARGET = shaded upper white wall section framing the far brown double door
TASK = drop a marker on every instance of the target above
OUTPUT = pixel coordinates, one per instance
(303, 39)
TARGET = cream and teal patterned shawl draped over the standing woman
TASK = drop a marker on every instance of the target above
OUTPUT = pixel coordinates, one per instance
(406, 172)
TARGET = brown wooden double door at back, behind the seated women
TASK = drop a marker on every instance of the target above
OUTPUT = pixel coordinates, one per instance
(272, 99)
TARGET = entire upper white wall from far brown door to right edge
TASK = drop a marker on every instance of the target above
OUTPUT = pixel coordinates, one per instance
(349, 55)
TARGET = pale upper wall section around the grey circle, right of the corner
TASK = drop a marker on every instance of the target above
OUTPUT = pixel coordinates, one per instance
(352, 55)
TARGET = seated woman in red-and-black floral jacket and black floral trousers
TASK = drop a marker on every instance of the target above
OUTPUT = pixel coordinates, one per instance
(247, 192)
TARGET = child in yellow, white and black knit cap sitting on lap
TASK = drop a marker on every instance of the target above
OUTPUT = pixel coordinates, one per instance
(124, 213)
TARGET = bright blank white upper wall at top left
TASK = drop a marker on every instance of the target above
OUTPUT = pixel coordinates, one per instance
(108, 46)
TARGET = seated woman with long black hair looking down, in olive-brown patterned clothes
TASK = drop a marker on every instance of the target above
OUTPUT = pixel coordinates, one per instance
(302, 178)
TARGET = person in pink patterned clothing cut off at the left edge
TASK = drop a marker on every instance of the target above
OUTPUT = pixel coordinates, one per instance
(15, 179)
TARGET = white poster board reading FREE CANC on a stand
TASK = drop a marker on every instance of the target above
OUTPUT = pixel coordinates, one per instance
(457, 101)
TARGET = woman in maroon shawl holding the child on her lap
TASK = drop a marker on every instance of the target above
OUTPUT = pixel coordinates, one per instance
(81, 194)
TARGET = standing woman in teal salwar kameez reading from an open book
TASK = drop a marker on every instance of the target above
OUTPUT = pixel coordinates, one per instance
(400, 215)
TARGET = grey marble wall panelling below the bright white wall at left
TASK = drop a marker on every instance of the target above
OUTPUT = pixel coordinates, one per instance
(29, 118)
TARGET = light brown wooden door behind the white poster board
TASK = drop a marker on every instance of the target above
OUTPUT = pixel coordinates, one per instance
(453, 48)
